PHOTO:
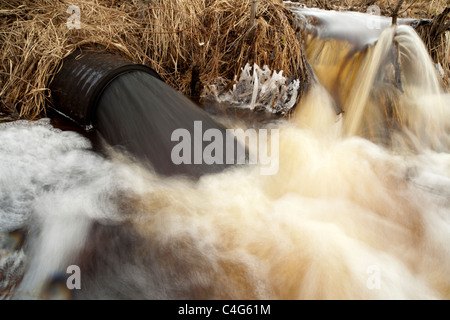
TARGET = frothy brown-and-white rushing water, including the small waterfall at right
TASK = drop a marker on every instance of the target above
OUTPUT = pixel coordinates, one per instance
(359, 208)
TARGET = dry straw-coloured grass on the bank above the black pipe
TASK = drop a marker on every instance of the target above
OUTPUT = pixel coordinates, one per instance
(174, 37)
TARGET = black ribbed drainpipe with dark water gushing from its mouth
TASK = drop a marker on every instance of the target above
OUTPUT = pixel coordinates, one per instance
(76, 93)
